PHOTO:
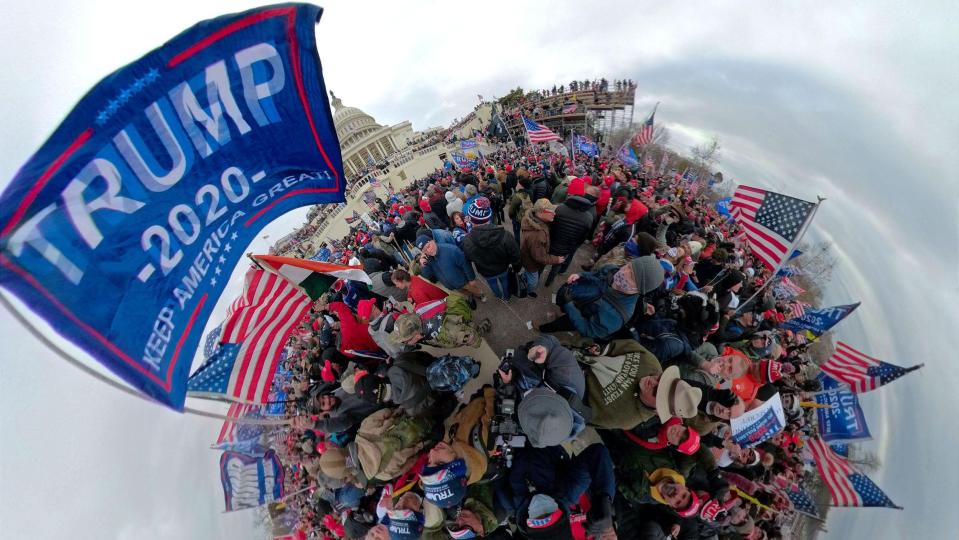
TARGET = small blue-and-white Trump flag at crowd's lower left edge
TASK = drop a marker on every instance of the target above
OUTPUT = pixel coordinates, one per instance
(250, 481)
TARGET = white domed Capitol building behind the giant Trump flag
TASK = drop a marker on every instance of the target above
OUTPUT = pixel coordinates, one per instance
(364, 142)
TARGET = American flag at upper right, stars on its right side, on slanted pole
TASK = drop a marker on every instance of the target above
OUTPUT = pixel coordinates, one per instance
(772, 222)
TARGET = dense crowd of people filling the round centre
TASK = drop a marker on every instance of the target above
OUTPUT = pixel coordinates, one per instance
(613, 422)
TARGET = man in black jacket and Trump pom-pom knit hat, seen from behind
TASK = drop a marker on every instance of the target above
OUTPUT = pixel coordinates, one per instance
(491, 248)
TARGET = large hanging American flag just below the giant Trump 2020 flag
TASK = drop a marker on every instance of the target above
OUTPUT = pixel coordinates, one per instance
(252, 339)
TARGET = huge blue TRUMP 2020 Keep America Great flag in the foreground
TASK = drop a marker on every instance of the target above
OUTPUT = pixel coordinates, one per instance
(121, 231)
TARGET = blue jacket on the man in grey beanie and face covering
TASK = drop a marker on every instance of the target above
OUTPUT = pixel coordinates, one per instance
(595, 308)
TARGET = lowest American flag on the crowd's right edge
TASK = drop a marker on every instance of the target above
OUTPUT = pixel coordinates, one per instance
(847, 486)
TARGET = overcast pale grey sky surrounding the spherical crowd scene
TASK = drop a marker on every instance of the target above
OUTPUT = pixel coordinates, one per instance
(855, 102)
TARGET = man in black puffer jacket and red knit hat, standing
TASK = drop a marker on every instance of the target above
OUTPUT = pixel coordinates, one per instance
(571, 226)
